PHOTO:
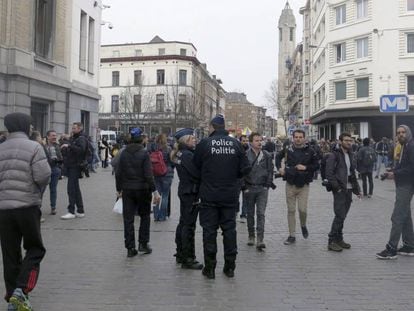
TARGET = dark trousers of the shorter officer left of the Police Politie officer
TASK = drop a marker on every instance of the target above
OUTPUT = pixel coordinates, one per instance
(185, 232)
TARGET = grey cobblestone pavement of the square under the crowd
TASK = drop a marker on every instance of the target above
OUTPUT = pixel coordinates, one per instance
(86, 267)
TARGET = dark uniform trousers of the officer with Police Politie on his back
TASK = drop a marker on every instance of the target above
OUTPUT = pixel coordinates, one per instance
(212, 217)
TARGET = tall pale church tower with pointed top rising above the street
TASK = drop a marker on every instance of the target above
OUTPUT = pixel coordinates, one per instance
(287, 45)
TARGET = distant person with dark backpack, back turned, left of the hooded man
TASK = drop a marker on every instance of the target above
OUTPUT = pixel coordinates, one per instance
(366, 159)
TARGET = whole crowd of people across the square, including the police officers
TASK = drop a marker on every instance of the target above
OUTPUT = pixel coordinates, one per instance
(213, 174)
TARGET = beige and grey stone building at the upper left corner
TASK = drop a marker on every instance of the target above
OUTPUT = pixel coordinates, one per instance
(49, 62)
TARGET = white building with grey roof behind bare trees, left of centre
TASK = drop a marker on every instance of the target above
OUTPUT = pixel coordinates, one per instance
(159, 86)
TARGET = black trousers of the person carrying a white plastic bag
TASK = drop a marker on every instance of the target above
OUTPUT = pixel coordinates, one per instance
(136, 202)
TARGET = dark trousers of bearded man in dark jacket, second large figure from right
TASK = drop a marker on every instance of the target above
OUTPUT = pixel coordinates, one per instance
(342, 203)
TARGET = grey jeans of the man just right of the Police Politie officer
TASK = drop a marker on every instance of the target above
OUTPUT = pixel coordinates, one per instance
(256, 200)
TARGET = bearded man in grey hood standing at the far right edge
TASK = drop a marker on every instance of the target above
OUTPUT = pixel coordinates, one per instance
(402, 223)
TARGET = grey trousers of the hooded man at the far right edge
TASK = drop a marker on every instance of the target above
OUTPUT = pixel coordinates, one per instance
(402, 223)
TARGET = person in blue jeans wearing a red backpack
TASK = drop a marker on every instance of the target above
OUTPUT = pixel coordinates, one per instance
(163, 182)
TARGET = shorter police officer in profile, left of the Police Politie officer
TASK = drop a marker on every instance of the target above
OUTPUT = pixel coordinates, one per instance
(188, 187)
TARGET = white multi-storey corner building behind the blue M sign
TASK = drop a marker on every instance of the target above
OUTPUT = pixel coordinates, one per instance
(359, 51)
